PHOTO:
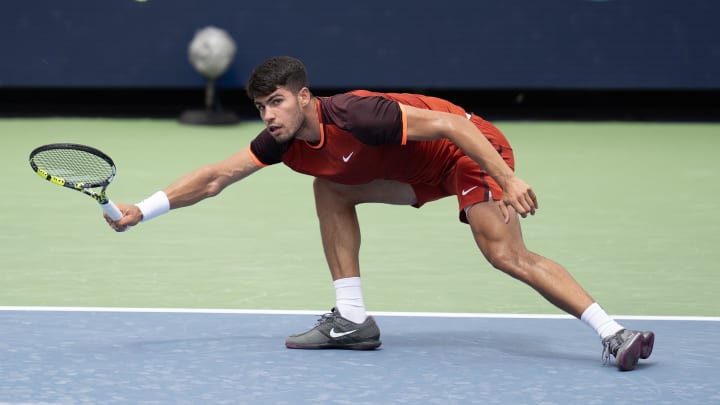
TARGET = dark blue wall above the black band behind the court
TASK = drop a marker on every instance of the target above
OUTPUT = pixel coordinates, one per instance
(449, 44)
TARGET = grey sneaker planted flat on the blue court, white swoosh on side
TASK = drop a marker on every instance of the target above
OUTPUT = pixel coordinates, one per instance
(335, 332)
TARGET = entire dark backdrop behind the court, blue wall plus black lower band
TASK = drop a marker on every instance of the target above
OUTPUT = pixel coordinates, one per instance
(556, 59)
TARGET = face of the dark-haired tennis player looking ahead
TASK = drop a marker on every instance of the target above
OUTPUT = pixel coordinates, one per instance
(282, 113)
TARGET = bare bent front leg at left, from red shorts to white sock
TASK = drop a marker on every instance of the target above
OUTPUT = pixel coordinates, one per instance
(339, 227)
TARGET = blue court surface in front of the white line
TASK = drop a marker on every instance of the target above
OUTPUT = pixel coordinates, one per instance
(99, 357)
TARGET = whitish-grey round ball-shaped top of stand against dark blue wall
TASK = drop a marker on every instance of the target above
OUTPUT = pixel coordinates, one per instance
(211, 51)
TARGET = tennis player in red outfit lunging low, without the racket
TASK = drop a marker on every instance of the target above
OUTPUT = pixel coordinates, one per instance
(366, 147)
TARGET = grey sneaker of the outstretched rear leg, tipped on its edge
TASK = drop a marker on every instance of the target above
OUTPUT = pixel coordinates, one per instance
(628, 346)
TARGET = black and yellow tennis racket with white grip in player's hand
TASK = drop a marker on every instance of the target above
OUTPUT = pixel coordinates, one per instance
(77, 167)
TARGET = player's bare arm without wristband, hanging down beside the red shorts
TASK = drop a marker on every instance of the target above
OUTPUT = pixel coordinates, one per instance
(427, 124)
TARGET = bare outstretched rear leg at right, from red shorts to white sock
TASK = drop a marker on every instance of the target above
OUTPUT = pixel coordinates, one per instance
(503, 246)
